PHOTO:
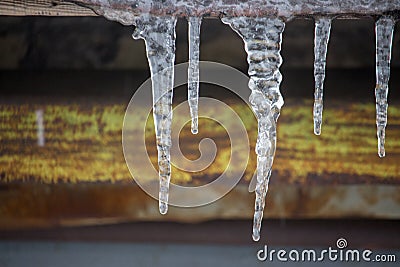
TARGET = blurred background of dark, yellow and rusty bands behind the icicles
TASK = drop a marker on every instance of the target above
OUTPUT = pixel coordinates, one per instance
(67, 198)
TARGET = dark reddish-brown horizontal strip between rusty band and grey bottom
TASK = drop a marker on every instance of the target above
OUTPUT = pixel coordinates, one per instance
(308, 233)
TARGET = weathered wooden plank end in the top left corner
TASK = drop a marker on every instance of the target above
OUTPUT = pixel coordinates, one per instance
(43, 8)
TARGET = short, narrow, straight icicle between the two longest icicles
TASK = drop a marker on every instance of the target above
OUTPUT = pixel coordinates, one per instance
(193, 72)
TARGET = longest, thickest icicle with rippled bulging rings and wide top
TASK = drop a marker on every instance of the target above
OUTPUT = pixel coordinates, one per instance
(262, 38)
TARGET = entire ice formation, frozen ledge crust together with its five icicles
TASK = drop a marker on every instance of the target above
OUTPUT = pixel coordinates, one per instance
(262, 37)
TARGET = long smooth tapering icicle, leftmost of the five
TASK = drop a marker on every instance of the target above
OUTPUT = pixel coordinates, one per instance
(159, 36)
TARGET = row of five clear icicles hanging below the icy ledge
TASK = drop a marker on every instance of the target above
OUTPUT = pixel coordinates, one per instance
(262, 38)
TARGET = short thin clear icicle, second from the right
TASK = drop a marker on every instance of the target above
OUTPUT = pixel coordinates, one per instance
(321, 39)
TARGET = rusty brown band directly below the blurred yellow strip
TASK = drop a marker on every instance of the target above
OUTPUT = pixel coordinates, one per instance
(28, 205)
